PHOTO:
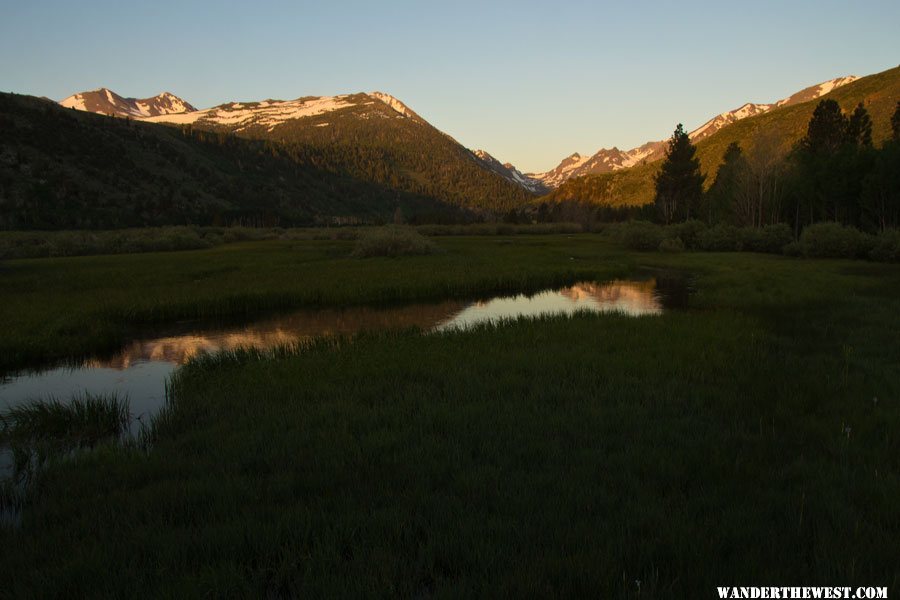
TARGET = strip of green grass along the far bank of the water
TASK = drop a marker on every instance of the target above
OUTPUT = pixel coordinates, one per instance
(60, 307)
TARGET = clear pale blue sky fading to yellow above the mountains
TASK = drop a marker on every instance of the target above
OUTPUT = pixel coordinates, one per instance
(530, 82)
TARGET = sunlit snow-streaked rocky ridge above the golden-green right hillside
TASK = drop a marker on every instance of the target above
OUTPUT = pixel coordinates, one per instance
(613, 159)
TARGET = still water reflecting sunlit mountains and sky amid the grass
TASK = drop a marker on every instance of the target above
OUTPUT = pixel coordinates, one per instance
(140, 370)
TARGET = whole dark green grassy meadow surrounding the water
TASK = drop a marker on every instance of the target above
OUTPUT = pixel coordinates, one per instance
(748, 438)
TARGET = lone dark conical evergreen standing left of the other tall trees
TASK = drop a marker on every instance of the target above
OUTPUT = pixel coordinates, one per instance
(679, 184)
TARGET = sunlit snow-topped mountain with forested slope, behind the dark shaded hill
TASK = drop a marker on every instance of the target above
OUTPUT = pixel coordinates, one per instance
(371, 137)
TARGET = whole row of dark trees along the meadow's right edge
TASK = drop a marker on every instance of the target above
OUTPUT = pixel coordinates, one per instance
(834, 174)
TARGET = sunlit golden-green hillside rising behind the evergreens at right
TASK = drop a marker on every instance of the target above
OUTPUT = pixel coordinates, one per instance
(778, 127)
